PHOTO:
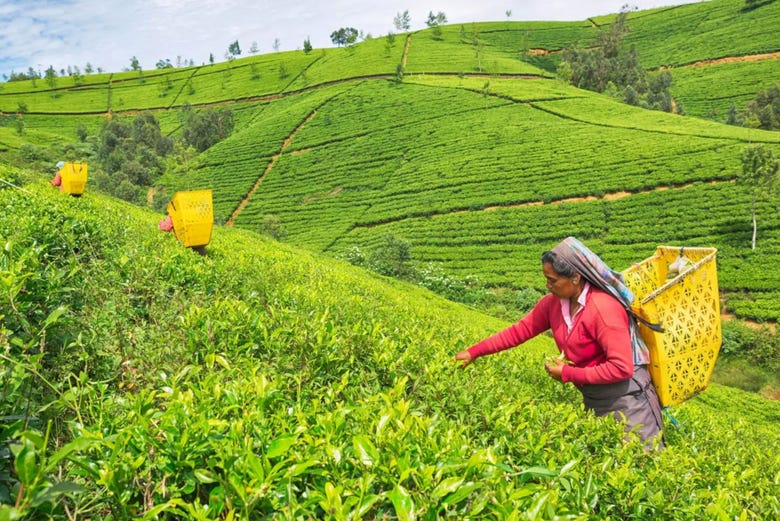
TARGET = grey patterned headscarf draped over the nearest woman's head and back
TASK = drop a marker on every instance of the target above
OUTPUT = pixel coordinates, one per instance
(596, 271)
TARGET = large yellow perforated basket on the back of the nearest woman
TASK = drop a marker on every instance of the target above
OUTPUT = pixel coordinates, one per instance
(688, 308)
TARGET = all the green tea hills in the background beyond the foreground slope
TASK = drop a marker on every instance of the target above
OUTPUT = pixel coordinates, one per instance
(465, 145)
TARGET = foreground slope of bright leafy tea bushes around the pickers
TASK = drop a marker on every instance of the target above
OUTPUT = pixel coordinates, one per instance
(261, 381)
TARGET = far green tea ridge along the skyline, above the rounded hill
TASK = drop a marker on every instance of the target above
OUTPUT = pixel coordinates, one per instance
(678, 37)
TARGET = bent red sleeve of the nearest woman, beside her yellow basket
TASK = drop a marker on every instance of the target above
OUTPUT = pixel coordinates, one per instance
(609, 323)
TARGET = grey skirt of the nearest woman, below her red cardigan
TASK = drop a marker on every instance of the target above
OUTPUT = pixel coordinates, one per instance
(633, 400)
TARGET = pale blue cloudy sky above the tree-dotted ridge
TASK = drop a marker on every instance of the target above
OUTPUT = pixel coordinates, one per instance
(108, 33)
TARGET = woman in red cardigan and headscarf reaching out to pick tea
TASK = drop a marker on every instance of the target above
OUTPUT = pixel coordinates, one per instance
(604, 356)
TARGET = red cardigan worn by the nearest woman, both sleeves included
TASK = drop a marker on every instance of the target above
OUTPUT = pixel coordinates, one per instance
(599, 345)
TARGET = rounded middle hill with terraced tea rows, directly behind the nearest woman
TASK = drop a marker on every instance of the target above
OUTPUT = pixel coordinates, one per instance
(482, 181)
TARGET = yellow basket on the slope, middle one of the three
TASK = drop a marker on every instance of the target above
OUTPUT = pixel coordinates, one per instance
(192, 214)
